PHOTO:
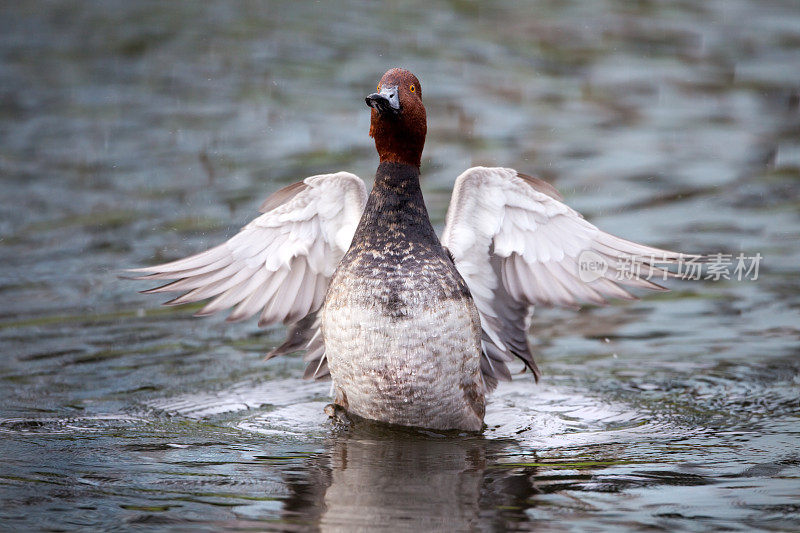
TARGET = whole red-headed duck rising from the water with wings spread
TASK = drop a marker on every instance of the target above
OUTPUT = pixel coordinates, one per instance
(411, 329)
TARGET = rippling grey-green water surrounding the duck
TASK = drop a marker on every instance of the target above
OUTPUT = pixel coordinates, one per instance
(132, 133)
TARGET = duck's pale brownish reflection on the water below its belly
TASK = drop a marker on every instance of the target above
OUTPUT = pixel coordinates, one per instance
(386, 478)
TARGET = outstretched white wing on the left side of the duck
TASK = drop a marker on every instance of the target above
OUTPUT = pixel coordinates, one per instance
(279, 264)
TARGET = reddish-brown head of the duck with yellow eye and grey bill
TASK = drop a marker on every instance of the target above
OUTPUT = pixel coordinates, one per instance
(398, 122)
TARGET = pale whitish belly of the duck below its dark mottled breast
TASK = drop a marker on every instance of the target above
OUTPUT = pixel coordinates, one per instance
(415, 368)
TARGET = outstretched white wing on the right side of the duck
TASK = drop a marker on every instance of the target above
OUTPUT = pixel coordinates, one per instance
(517, 245)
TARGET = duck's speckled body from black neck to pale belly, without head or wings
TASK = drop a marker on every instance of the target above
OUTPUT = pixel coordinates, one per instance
(401, 332)
